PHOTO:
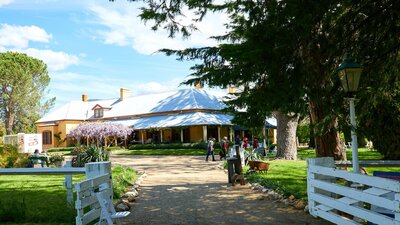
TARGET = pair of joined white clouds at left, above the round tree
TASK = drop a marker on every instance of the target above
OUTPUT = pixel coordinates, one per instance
(18, 38)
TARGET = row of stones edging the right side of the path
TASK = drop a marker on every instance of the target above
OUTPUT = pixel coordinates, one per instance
(273, 195)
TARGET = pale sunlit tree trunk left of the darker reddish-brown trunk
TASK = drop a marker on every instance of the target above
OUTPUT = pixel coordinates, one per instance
(286, 136)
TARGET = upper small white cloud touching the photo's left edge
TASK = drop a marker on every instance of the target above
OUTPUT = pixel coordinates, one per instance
(20, 36)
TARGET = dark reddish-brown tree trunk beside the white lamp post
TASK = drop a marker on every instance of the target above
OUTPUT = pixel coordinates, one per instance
(327, 141)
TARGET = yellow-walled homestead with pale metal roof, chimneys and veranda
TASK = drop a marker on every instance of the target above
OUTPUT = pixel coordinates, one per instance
(186, 115)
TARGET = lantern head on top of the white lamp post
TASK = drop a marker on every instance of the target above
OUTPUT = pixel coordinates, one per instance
(349, 74)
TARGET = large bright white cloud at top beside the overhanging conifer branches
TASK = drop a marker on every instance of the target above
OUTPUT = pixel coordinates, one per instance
(123, 27)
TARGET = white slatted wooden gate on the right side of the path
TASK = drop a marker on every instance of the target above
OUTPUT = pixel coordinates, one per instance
(333, 191)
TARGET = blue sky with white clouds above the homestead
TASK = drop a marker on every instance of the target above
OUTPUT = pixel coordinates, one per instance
(95, 47)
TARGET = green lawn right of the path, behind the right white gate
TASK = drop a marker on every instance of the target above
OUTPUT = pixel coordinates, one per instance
(290, 177)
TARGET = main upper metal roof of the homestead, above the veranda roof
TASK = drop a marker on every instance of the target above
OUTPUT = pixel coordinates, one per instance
(185, 99)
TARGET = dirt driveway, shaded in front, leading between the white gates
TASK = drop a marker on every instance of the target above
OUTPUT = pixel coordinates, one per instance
(186, 190)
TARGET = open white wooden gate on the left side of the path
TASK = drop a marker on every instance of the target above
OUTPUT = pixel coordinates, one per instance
(86, 204)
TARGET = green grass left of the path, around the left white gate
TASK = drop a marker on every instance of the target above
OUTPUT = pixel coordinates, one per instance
(41, 199)
